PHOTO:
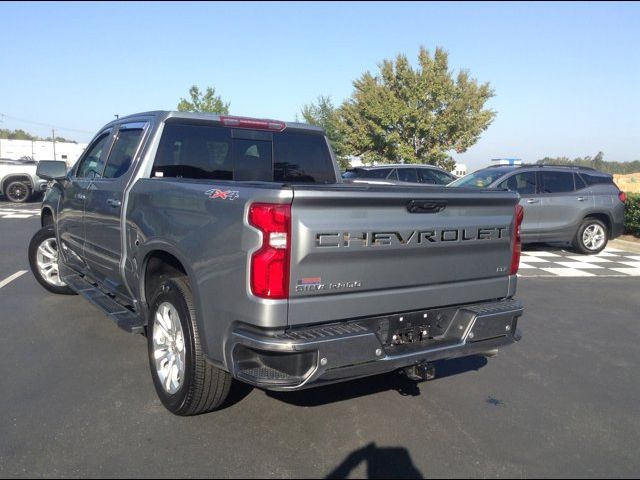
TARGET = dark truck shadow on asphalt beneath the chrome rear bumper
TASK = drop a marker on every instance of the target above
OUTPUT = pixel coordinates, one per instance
(375, 384)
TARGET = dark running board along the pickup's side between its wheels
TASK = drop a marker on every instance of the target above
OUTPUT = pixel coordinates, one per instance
(123, 317)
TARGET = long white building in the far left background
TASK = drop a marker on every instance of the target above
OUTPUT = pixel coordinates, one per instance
(41, 150)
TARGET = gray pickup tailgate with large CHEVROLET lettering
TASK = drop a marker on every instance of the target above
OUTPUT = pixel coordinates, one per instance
(362, 251)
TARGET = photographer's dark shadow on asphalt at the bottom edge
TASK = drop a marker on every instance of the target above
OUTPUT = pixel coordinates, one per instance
(381, 463)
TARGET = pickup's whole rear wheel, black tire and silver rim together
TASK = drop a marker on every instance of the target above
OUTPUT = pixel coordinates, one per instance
(185, 382)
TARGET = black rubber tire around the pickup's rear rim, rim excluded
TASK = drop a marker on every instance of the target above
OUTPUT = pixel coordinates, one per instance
(203, 388)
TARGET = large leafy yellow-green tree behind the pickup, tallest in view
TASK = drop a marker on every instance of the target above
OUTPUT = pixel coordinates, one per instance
(415, 115)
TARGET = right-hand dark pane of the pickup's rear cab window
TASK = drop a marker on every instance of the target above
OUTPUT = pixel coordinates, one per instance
(302, 158)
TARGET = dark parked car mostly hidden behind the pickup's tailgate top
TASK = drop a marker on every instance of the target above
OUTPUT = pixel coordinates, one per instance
(398, 174)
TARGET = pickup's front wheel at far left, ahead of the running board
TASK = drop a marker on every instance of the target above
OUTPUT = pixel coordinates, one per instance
(43, 260)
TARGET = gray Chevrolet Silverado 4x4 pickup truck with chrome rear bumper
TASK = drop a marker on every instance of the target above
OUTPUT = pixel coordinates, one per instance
(234, 246)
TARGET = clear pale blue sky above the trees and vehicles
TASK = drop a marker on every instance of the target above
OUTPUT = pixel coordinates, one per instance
(566, 75)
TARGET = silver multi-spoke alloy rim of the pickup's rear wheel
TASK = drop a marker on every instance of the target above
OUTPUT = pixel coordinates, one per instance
(168, 348)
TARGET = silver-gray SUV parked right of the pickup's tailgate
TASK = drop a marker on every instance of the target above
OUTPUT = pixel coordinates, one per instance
(562, 204)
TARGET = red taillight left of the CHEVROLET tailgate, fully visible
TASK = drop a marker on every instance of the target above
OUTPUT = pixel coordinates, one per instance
(270, 264)
